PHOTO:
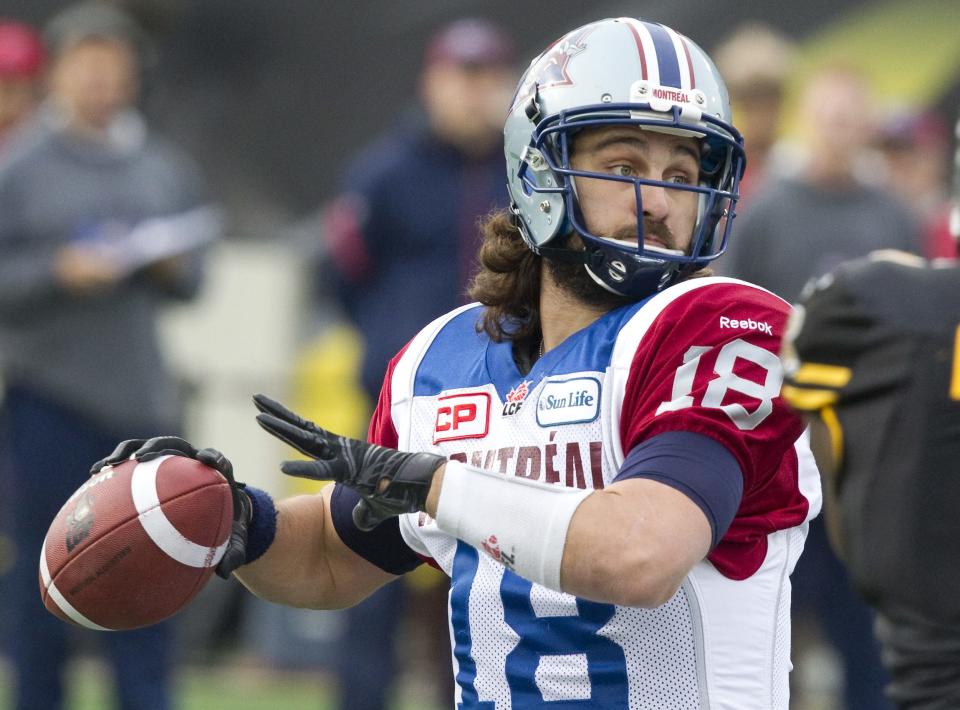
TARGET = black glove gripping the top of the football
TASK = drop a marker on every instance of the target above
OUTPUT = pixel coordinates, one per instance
(149, 449)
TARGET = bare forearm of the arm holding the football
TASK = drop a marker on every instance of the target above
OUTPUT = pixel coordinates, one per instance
(306, 565)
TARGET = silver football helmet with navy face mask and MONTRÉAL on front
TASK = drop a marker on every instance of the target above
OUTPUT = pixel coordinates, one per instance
(621, 71)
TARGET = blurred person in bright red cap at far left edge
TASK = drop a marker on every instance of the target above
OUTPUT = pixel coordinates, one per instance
(21, 62)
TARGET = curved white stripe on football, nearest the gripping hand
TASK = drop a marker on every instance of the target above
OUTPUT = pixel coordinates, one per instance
(143, 487)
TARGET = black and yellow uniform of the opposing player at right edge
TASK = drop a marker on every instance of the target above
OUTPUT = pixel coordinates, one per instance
(874, 351)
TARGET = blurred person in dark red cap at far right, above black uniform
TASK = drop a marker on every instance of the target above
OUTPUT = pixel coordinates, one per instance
(913, 147)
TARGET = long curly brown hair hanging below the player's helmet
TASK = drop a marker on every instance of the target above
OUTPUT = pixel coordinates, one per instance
(508, 281)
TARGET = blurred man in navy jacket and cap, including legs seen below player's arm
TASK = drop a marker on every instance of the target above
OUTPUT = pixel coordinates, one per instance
(402, 238)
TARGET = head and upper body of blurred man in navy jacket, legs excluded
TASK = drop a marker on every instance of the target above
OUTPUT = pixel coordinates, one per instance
(403, 230)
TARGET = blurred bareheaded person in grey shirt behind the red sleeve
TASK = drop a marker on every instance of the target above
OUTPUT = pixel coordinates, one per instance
(804, 224)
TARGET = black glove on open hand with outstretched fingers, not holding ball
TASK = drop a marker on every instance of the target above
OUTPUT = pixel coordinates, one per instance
(389, 482)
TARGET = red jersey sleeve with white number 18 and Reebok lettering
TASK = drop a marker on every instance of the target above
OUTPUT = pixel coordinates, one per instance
(708, 364)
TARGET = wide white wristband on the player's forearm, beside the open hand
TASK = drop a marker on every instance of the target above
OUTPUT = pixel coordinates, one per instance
(519, 523)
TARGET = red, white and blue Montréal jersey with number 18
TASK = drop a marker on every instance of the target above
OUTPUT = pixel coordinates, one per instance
(699, 357)
